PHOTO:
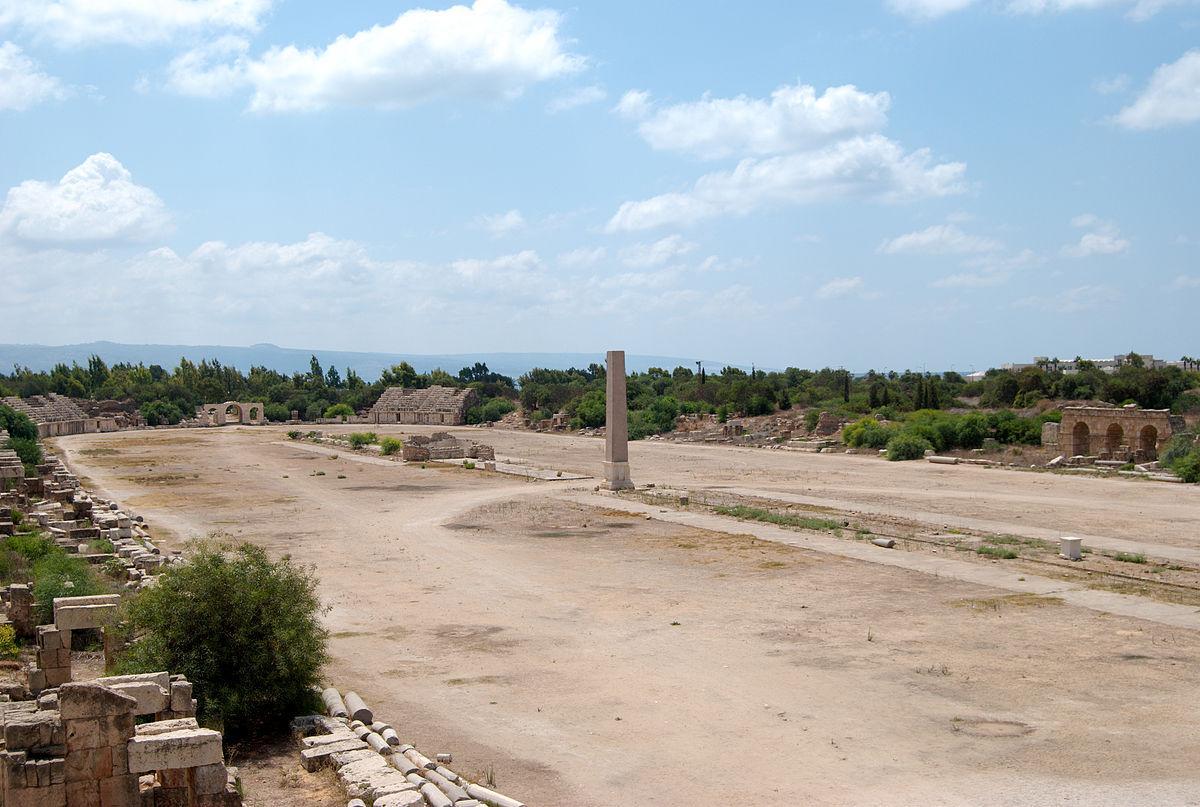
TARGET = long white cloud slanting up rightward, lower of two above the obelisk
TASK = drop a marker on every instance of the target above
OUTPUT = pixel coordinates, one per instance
(872, 168)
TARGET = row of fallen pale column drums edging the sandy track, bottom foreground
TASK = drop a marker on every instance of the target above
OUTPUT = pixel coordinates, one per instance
(440, 786)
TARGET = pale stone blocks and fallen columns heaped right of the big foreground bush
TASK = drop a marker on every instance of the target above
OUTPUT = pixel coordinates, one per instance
(376, 767)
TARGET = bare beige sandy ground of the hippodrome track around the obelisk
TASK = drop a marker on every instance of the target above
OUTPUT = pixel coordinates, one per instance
(590, 657)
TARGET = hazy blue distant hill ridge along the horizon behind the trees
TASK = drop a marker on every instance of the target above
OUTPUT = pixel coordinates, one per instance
(285, 360)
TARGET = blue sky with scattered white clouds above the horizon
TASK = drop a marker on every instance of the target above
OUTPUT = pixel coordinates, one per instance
(943, 184)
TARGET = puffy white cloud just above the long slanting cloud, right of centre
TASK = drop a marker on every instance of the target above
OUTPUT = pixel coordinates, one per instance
(795, 118)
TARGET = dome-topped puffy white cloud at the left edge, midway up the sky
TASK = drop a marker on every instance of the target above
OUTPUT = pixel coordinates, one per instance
(95, 202)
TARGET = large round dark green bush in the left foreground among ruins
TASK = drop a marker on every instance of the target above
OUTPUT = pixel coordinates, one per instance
(245, 630)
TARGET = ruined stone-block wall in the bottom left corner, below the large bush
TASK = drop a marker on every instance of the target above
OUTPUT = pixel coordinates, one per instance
(81, 746)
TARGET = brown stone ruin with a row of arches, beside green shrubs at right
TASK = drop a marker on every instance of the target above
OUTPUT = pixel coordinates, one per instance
(1127, 434)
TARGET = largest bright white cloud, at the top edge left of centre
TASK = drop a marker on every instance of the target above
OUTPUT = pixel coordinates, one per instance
(489, 51)
